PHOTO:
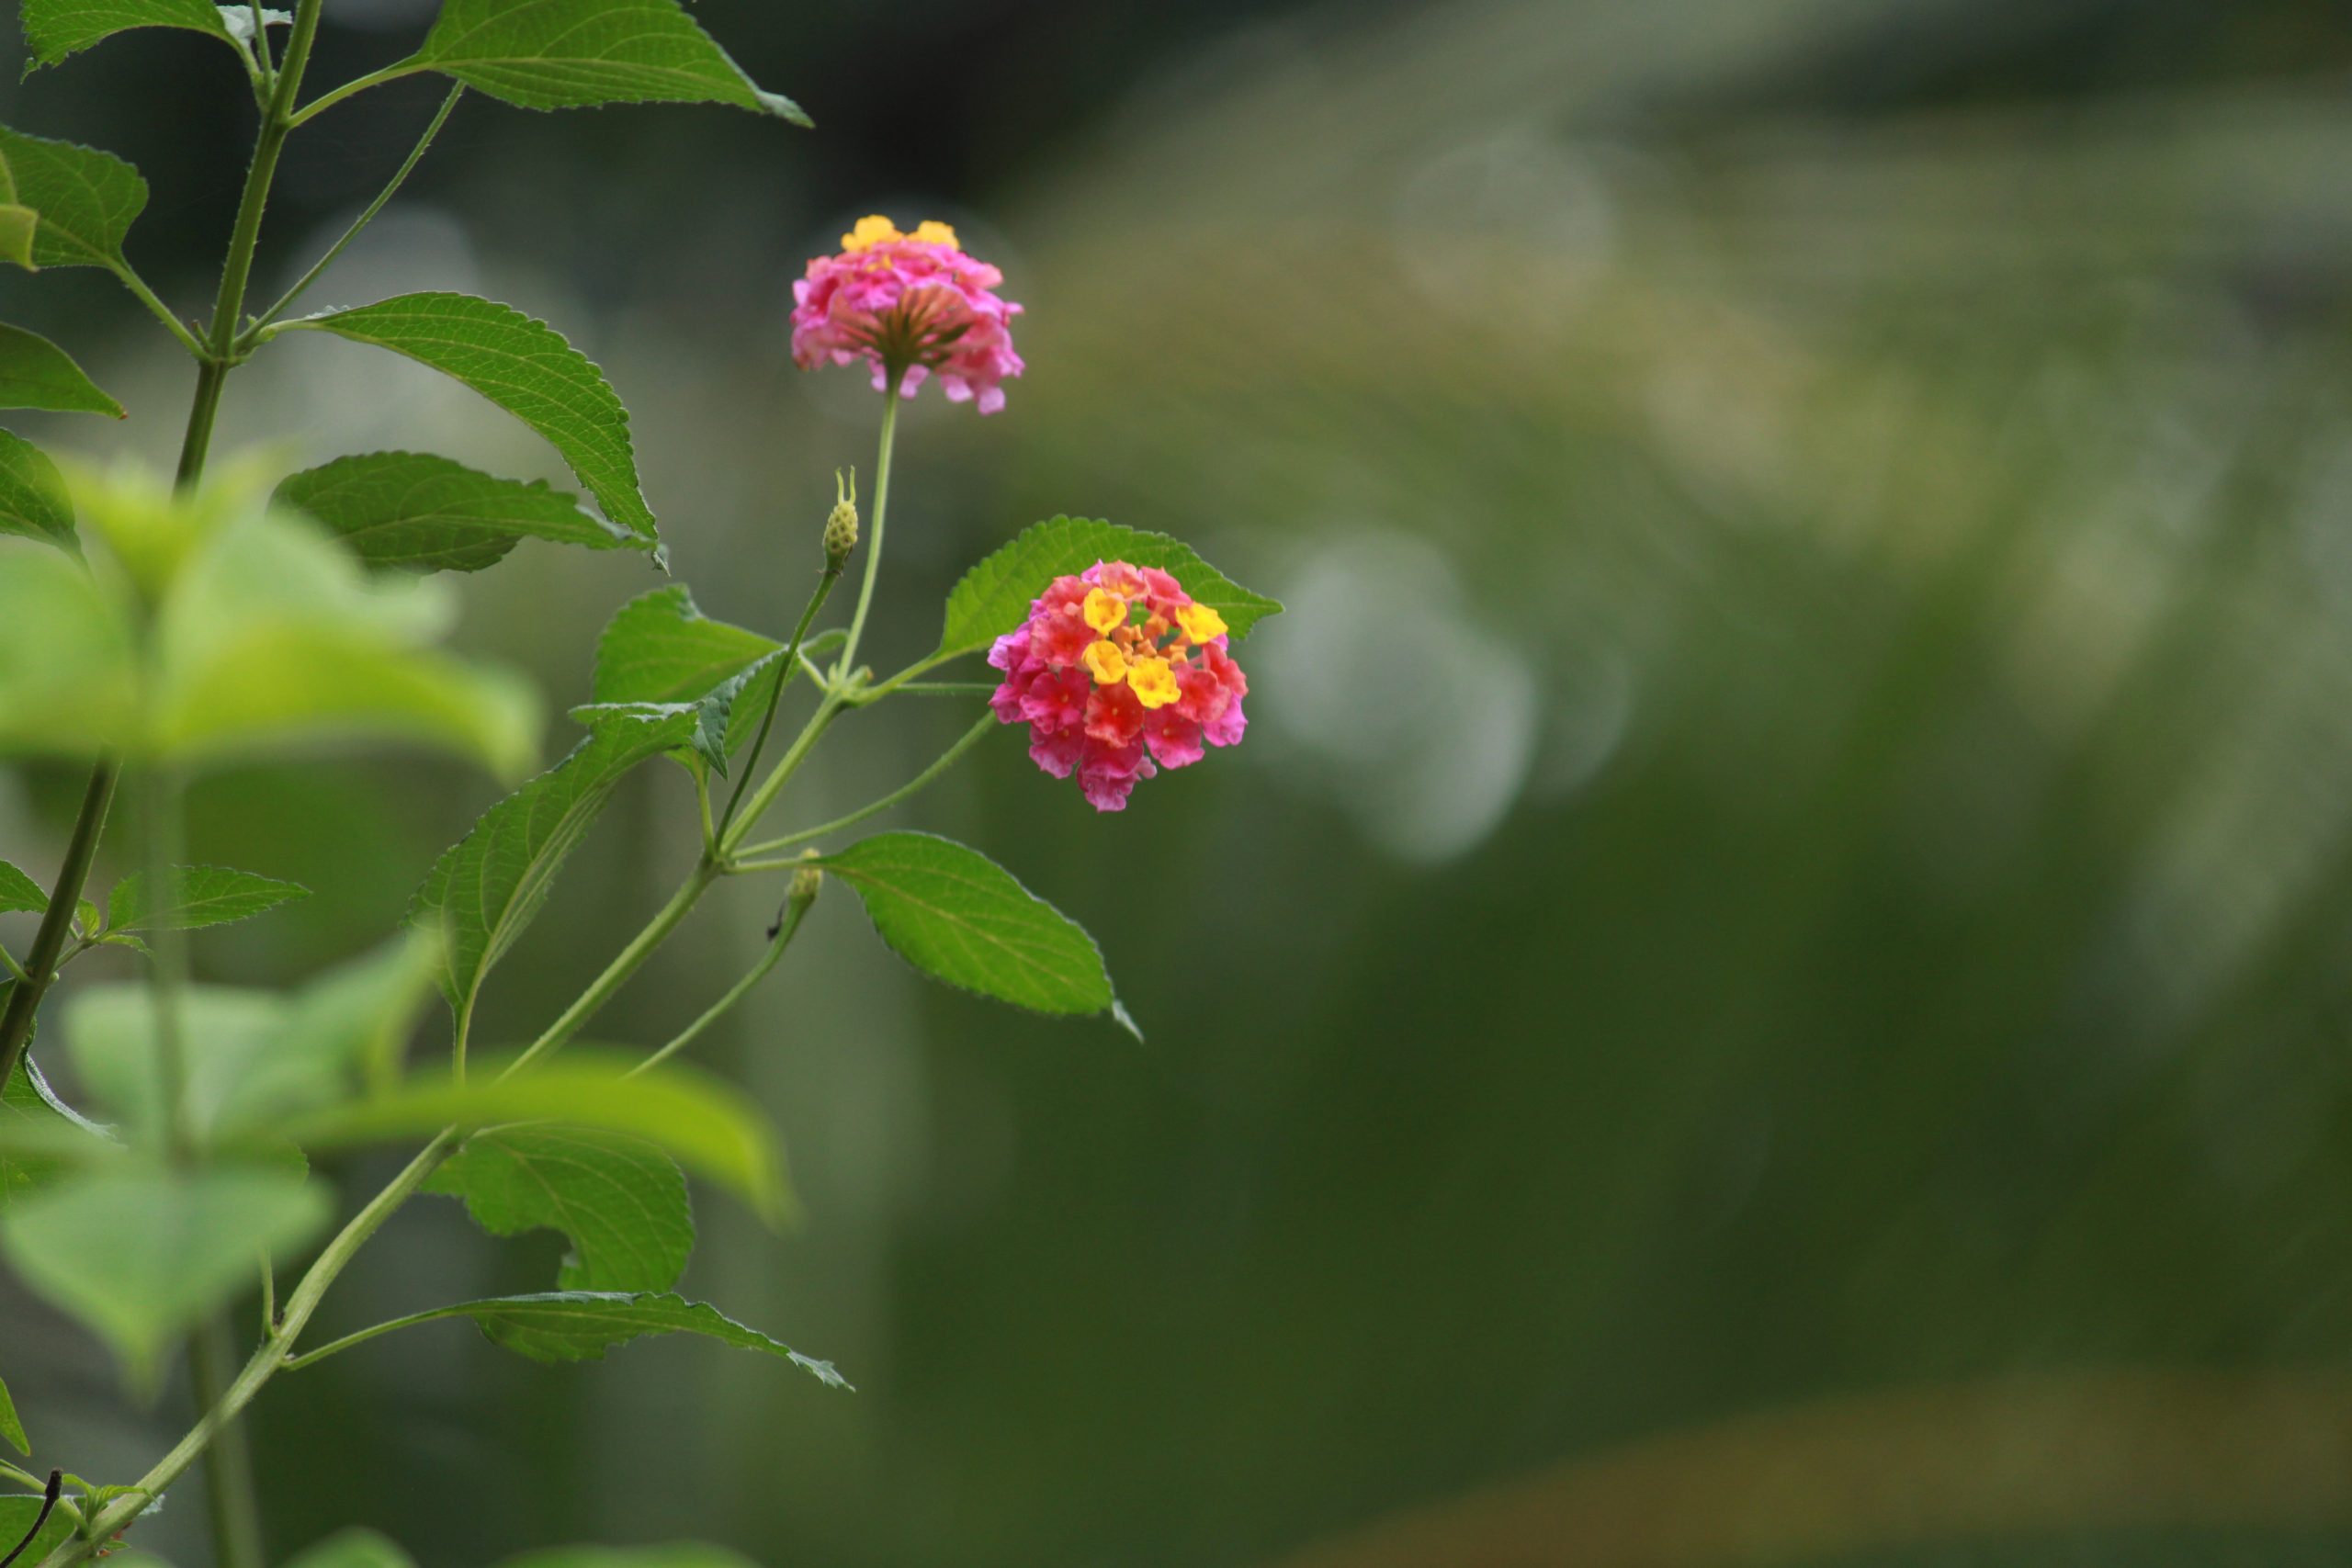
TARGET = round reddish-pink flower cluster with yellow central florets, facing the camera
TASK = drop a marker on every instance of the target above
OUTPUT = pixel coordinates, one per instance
(1118, 669)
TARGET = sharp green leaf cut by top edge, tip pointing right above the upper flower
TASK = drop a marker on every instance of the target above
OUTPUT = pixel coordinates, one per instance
(584, 53)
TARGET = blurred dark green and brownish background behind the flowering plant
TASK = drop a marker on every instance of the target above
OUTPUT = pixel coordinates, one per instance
(1772, 981)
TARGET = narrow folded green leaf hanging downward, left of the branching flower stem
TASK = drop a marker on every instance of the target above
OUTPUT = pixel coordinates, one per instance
(490, 885)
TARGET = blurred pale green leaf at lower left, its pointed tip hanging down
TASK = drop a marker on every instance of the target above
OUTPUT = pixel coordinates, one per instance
(142, 1257)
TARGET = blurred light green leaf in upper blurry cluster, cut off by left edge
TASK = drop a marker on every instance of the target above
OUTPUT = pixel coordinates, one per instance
(65, 657)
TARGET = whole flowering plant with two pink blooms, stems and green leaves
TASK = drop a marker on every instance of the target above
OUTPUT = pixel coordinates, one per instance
(161, 629)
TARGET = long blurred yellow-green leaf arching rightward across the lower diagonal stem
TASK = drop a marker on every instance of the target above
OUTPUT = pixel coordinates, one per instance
(702, 1123)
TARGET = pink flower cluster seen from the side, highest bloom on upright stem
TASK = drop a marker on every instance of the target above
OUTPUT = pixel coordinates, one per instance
(914, 307)
